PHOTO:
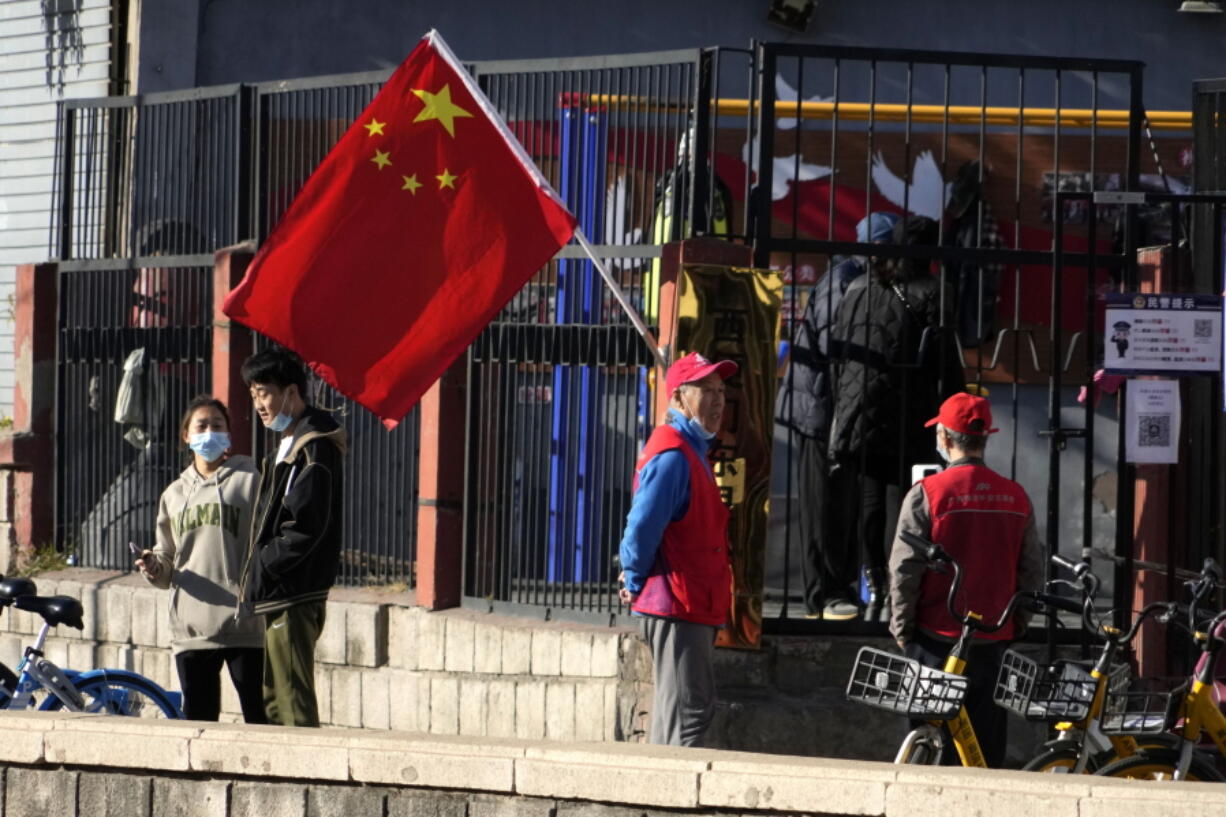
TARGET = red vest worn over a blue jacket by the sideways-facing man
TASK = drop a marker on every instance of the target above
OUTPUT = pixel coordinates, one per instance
(692, 577)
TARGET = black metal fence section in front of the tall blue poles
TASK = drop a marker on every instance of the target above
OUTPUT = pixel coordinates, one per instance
(560, 392)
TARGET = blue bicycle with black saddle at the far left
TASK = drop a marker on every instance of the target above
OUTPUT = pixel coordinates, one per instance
(116, 692)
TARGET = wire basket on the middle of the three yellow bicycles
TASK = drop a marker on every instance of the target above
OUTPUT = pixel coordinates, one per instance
(1062, 691)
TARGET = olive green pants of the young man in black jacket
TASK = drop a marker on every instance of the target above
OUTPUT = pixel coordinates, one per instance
(290, 640)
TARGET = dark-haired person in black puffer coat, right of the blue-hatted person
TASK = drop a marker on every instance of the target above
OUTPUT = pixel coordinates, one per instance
(894, 366)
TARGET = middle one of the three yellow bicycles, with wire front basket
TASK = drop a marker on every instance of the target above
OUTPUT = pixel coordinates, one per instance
(1072, 697)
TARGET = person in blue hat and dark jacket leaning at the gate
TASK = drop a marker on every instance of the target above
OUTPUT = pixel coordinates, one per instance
(805, 404)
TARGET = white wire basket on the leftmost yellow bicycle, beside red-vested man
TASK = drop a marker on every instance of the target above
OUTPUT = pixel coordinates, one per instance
(902, 685)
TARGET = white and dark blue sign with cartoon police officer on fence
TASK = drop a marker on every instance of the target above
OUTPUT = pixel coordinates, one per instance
(1163, 334)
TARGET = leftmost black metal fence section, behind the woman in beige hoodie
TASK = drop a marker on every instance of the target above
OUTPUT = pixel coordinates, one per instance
(143, 190)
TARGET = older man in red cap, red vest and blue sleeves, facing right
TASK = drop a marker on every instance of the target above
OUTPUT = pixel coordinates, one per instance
(676, 572)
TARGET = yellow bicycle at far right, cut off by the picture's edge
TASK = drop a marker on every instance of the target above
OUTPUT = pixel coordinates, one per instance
(1190, 710)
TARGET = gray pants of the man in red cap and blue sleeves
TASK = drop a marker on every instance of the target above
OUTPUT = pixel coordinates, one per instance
(685, 680)
